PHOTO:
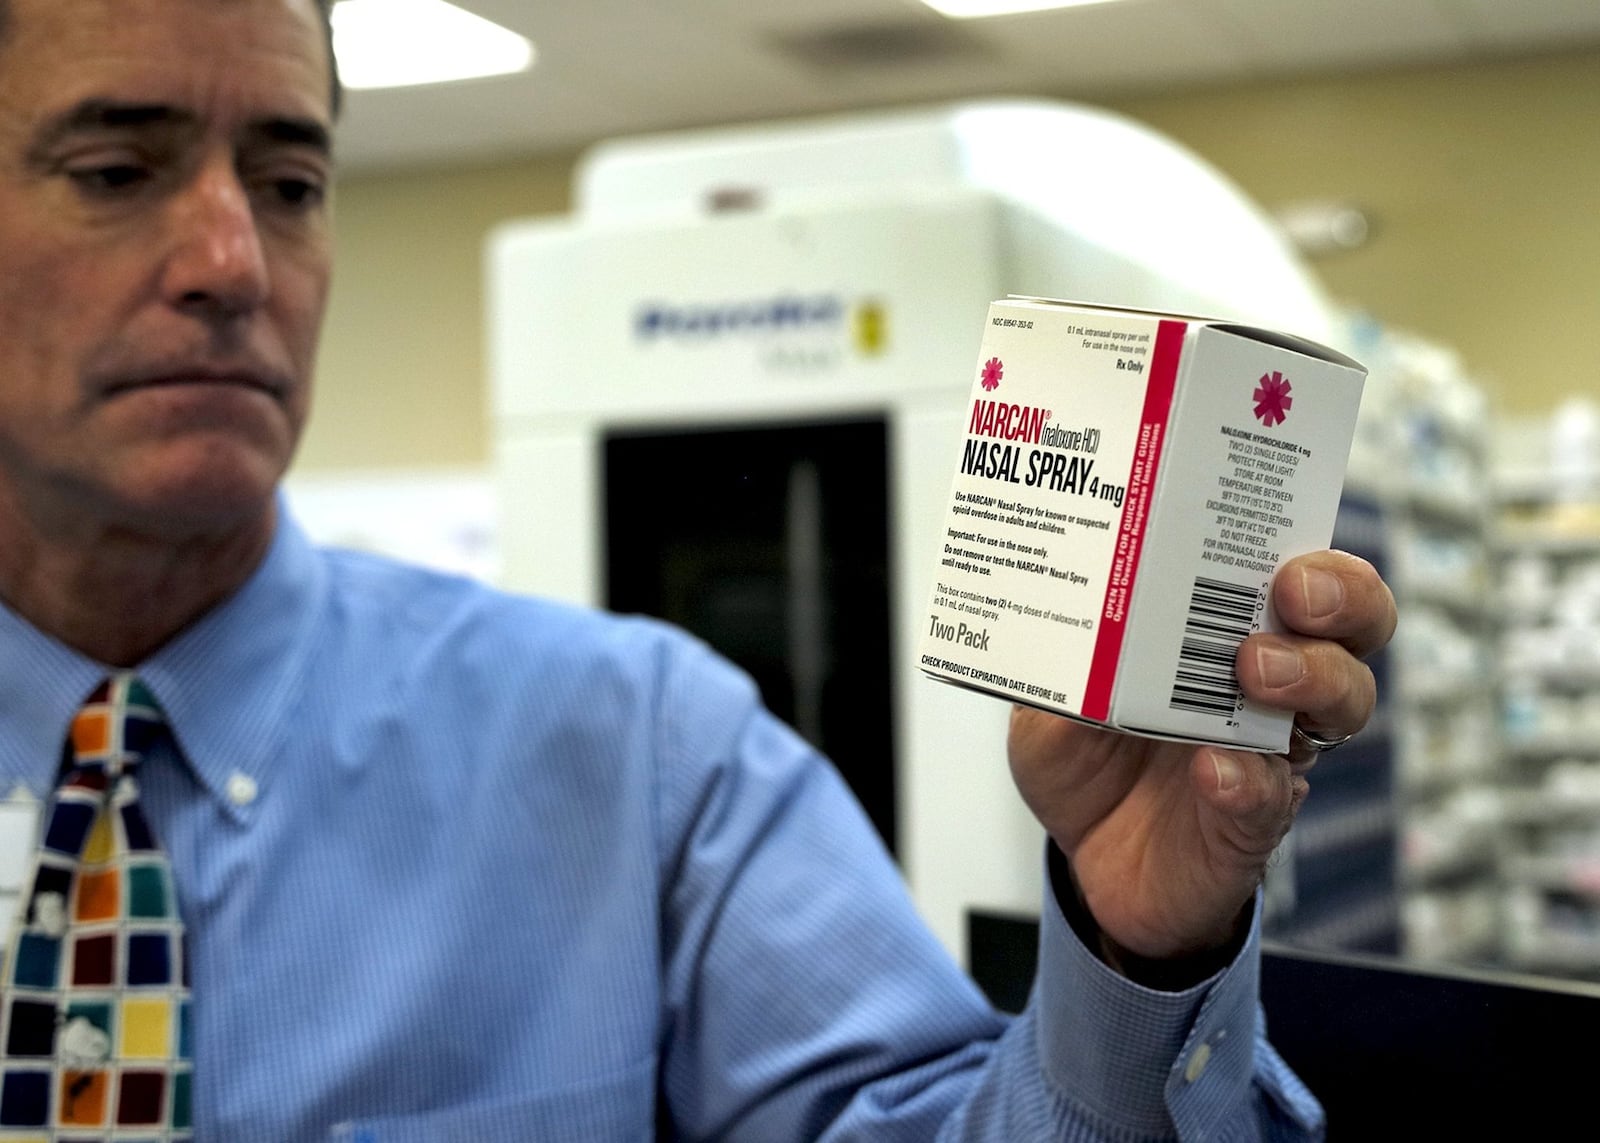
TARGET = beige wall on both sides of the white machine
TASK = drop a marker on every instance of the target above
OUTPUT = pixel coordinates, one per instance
(1484, 182)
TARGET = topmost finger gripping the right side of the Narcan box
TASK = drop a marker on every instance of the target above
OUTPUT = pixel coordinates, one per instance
(1335, 596)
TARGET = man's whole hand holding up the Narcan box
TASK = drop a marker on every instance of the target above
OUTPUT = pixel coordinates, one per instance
(1169, 841)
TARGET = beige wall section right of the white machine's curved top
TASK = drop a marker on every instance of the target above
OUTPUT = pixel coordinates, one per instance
(1484, 183)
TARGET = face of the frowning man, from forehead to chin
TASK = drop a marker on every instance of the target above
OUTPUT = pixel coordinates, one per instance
(164, 257)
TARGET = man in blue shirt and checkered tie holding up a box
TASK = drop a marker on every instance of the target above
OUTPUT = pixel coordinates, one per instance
(460, 867)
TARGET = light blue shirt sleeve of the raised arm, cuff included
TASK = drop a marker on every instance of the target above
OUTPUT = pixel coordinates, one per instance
(804, 998)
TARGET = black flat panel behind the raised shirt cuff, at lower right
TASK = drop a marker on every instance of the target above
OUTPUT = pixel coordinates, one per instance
(1396, 1051)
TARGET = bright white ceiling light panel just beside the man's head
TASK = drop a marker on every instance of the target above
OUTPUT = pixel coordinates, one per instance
(393, 44)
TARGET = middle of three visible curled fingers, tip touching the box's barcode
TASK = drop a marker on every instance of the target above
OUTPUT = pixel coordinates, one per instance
(1330, 689)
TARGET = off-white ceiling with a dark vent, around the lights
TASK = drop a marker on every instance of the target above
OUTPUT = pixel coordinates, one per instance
(614, 68)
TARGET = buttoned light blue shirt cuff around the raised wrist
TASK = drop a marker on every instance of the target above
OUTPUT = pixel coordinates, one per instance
(1138, 1061)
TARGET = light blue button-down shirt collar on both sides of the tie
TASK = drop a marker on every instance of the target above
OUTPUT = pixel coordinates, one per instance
(226, 684)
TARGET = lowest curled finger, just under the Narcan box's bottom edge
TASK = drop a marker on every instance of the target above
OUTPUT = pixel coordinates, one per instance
(1254, 800)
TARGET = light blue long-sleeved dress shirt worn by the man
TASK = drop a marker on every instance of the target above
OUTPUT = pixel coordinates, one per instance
(468, 867)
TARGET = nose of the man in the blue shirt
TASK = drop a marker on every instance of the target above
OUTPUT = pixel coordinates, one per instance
(217, 267)
